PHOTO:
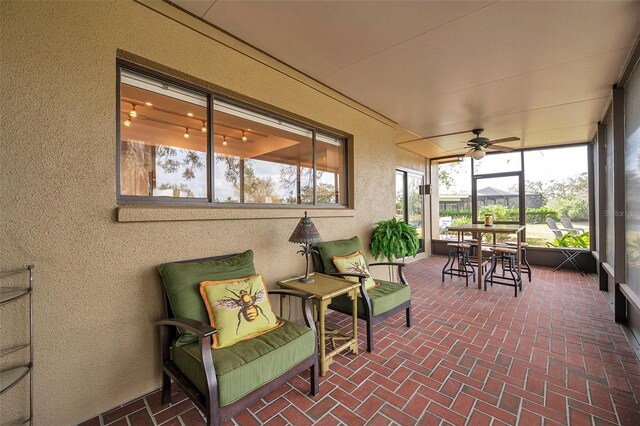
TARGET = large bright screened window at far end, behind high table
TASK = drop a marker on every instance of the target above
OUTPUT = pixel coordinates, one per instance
(555, 185)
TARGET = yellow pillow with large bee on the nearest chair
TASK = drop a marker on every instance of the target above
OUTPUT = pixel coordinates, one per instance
(238, 308)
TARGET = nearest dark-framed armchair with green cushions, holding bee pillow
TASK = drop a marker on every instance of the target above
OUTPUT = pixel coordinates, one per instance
(223, 382)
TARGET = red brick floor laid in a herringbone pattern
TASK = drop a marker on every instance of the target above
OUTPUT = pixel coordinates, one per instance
(551, 356)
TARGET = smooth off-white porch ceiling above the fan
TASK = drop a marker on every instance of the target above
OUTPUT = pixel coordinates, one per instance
(538, 70)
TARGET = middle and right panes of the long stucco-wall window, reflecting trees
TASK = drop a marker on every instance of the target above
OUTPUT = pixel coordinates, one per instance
(261, 160)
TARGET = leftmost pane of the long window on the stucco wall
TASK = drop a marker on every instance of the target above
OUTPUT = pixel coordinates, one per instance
(163, 140)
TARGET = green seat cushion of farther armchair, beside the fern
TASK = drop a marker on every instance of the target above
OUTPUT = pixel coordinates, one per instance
(385, 297)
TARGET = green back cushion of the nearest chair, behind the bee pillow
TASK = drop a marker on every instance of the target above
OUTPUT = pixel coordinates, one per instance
(182, 284)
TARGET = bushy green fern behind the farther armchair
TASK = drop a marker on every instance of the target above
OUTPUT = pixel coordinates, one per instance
(394, 239)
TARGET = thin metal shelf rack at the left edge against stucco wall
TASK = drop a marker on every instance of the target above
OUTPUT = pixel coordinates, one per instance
(11, 375)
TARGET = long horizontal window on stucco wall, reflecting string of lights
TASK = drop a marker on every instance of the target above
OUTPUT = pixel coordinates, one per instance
(169, 133)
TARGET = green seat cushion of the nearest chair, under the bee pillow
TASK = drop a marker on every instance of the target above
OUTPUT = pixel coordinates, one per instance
(249, 364)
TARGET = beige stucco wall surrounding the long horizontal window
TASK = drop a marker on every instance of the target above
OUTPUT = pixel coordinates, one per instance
(97, 294)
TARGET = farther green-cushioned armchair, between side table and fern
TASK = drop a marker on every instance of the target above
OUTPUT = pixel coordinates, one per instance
(374, 305)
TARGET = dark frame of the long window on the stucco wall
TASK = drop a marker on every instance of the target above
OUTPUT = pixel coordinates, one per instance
(209, 201)
